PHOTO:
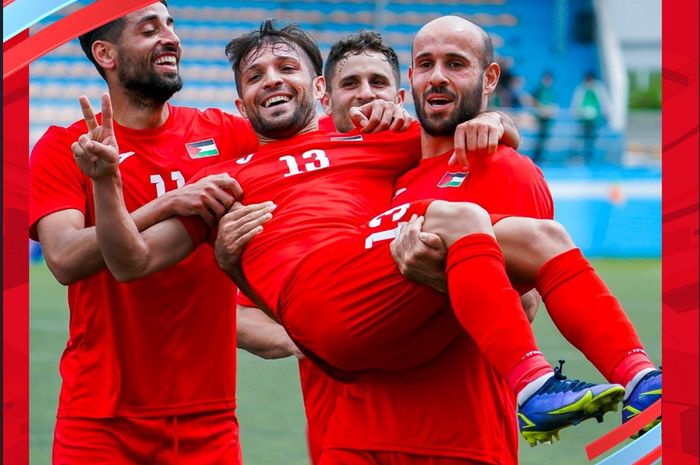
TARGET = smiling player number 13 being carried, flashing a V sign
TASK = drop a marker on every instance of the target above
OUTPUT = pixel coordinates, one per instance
(332, 284)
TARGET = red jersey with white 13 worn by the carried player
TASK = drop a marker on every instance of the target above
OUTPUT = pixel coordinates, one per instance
(323, 184)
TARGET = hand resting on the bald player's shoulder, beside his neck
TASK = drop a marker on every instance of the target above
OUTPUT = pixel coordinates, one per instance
(478, 136)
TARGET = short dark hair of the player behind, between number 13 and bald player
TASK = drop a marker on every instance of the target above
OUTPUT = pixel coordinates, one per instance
(355, 44)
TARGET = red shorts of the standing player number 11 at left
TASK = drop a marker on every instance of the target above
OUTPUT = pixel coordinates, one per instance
(204, 439)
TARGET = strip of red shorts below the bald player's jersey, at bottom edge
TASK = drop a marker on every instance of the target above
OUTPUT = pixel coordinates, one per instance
(358, 457)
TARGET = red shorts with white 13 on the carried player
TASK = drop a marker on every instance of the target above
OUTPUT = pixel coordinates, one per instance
(349, 308)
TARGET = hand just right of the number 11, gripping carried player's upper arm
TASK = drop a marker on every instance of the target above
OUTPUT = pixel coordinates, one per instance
(209, 198)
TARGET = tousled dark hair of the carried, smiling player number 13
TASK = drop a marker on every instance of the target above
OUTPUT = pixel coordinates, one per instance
(270, 34)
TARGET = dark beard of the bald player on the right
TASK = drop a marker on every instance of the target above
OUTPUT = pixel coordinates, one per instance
(468, 106)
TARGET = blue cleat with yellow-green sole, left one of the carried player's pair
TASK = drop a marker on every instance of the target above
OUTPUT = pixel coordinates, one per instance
(563, 402)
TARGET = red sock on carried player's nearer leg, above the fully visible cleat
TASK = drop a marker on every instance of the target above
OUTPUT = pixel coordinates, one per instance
(489, 309)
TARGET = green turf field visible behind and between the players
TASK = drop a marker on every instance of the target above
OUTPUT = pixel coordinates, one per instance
(270, 411)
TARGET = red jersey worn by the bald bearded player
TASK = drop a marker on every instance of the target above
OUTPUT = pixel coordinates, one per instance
(455, 405)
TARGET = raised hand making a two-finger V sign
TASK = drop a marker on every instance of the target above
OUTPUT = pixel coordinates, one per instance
(96, 152)
